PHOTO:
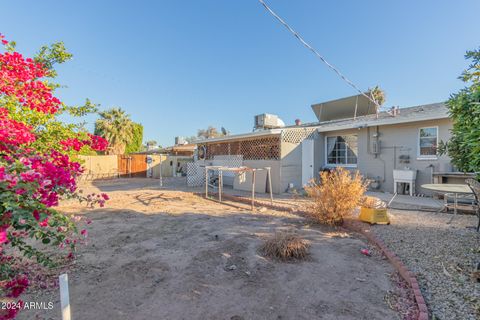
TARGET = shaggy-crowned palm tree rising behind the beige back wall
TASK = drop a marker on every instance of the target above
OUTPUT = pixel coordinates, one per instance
(117, 127)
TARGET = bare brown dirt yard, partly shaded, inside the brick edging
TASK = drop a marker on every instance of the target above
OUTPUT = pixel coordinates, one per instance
(169, 254)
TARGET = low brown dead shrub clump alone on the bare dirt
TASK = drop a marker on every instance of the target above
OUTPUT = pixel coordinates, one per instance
(285, 246)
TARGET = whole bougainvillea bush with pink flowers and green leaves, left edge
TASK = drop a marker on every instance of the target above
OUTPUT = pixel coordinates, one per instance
(37, 168)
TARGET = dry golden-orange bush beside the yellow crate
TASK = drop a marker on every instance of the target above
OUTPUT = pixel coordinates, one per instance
(335, 196)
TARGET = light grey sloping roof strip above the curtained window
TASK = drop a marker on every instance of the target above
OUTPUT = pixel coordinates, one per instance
(432, 111)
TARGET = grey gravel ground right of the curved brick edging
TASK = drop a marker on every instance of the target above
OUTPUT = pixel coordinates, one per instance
(442, 255)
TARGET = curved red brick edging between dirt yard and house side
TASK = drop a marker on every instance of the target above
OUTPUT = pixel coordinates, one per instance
(355, 226)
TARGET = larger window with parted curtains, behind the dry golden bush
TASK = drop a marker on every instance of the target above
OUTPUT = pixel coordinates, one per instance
(342, 150)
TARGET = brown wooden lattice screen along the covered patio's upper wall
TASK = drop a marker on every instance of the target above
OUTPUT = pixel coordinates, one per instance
(262, 148)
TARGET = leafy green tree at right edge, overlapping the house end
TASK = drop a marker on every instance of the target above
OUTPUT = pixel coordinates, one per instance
(464, 108)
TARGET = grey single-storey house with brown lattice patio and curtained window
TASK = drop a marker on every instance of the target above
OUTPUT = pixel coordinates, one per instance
(348, 134)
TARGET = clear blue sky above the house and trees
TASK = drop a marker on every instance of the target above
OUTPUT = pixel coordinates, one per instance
(177, 66)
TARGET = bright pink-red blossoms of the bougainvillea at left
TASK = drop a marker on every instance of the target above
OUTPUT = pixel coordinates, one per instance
(35, 180)
